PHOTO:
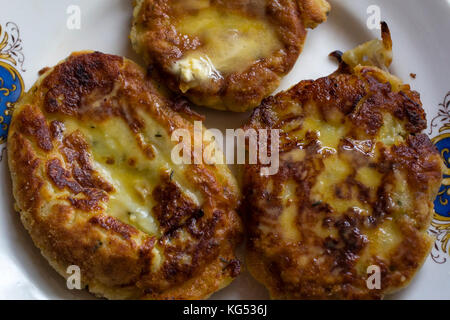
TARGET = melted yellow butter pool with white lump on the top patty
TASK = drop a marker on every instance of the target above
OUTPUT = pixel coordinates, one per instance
(231, 42)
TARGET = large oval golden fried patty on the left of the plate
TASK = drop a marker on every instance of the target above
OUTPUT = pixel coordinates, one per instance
(89, 150)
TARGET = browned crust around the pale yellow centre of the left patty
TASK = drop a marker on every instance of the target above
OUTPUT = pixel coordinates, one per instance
(61, 198)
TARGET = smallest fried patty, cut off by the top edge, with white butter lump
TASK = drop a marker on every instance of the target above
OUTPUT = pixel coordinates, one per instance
(226, 55)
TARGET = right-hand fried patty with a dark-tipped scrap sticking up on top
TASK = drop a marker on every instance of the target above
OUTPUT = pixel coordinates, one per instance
(354, 189)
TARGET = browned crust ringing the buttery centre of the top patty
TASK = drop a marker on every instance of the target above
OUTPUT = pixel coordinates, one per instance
(154, 36)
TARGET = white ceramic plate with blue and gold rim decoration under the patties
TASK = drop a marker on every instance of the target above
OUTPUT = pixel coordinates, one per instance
(38, 36)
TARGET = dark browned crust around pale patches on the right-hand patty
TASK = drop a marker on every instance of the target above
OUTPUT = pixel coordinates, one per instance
(362, 97)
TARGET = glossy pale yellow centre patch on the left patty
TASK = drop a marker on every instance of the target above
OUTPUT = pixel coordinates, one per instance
(118, 158)
